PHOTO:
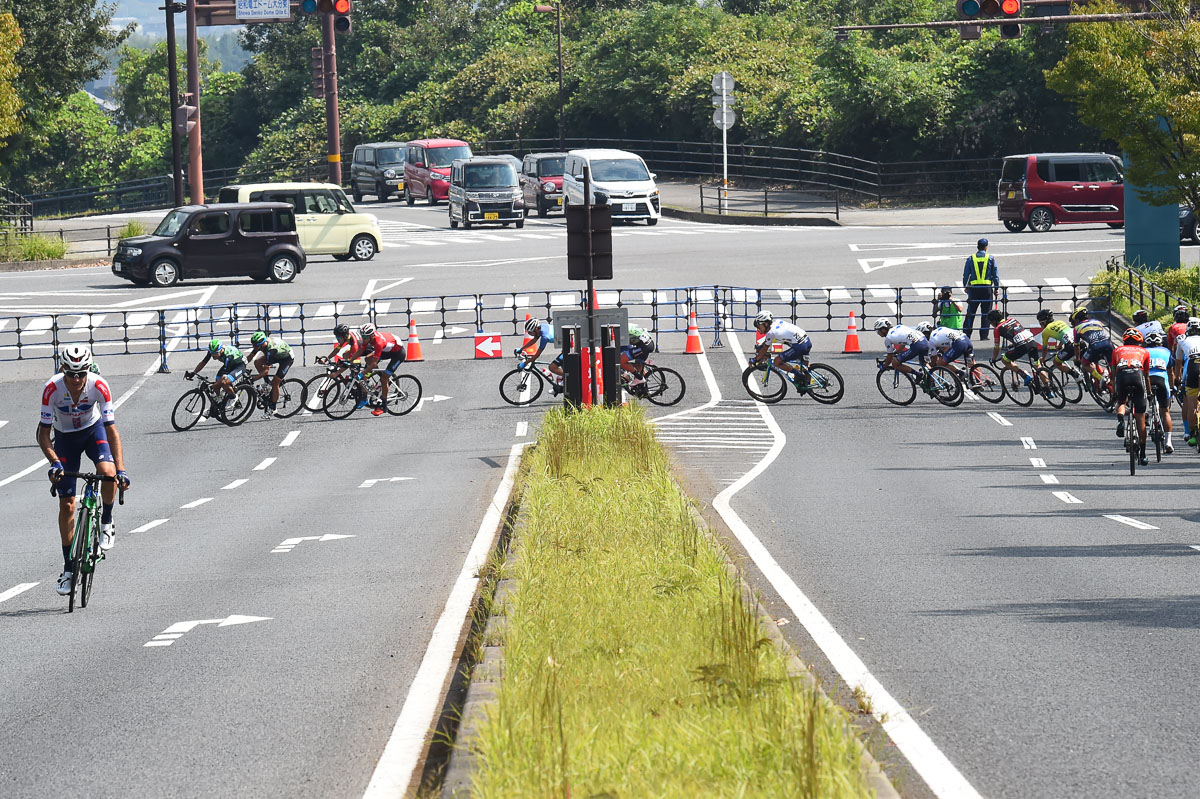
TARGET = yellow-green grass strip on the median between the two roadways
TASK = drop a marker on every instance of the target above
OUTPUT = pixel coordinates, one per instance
(633, 666)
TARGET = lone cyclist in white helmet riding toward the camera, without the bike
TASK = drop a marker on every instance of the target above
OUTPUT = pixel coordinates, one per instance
(77, 405)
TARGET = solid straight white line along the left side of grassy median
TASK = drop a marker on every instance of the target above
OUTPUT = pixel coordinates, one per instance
(398, 765)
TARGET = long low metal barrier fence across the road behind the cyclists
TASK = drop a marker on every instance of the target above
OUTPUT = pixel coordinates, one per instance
(307, 326)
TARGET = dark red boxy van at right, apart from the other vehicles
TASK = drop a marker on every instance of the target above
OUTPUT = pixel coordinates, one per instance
(1048, 189)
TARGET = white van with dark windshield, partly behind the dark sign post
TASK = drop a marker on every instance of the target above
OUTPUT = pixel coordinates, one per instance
(622, 176)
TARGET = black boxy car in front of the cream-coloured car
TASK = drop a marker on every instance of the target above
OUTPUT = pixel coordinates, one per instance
(256, 241)
